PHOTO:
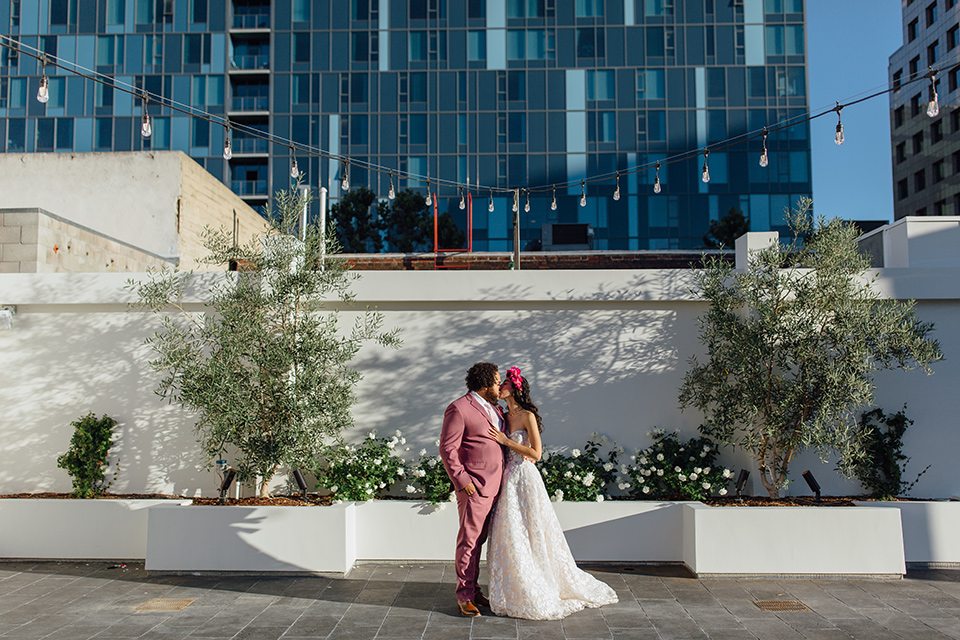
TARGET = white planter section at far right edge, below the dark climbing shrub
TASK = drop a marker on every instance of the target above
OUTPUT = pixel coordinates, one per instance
(930, 530)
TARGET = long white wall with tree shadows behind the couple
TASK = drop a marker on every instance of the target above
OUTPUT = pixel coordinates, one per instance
(605, 351)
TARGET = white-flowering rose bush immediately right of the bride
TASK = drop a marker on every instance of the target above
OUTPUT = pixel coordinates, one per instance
(579, 476)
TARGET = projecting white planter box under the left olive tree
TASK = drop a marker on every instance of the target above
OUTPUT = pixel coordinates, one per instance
(251, 539)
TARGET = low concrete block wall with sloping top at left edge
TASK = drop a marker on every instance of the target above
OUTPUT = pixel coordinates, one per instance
(36, 241)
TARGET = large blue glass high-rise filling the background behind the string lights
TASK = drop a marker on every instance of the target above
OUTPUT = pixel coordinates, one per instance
(505, 93)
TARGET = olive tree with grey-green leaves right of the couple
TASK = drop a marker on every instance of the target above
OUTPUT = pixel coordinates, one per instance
(792, 343)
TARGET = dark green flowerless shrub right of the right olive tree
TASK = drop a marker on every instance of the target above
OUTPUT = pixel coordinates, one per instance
(880, 470)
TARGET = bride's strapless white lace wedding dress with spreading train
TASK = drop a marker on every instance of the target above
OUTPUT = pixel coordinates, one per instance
(532, 573)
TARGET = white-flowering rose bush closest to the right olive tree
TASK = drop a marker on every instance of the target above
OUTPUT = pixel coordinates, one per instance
(673, 470)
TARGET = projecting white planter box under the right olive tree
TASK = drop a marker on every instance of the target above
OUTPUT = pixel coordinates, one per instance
(792, 541)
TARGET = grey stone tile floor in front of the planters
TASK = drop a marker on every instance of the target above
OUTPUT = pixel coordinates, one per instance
(99, 600)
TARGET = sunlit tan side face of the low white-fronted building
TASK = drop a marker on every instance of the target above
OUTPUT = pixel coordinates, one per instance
(207, 202)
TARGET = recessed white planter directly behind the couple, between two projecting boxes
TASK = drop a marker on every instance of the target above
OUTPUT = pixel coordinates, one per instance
(614, 531)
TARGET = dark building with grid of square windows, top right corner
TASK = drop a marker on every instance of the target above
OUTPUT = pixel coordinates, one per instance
(926, 150)
